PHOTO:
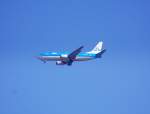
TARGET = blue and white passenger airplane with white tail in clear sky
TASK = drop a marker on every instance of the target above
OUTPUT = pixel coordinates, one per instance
(65, 58)
